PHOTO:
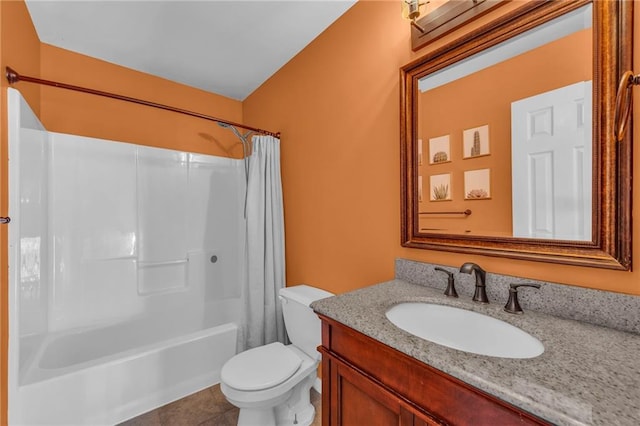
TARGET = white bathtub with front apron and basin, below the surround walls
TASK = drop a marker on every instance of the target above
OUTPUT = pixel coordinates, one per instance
(81, 387)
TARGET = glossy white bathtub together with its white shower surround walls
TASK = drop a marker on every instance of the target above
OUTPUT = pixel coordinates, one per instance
(125, 266)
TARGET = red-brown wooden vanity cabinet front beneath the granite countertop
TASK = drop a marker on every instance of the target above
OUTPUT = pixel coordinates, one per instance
(365, 382)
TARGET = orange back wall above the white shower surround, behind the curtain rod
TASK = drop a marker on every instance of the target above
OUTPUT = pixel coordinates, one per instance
(89, 115)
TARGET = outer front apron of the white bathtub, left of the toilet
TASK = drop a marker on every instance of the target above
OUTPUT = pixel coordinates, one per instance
(107, 405)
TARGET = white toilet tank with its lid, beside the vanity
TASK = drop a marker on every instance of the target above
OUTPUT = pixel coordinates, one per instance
(302, 324)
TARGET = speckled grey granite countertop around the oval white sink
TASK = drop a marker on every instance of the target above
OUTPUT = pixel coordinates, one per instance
(587, 375)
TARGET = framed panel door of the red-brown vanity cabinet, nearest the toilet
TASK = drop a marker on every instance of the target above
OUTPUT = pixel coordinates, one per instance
(356, 400)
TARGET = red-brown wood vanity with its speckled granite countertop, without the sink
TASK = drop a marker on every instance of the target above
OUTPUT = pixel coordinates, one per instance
(376, 373)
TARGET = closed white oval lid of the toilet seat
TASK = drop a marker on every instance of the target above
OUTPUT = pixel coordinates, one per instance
(260, 368)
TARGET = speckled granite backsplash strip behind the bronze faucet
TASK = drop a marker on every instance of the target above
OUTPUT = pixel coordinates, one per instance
(614, 310)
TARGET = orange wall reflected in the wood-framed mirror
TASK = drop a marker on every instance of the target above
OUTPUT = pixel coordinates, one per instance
(484, 98)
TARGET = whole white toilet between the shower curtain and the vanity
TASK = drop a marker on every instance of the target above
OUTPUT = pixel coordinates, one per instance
(271, 384)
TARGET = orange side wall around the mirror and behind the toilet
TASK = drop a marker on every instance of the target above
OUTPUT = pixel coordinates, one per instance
(337, 106)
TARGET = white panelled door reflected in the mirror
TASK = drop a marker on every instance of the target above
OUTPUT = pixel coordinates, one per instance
(552, 164)
